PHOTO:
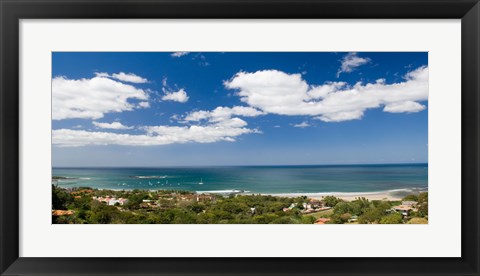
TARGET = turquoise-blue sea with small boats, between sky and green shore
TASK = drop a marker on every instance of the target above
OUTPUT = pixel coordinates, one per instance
(257, 179)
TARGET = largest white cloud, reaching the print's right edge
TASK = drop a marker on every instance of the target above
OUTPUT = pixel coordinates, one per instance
(277, 92)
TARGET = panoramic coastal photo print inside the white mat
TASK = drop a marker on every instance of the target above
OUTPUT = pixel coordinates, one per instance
(240, 137)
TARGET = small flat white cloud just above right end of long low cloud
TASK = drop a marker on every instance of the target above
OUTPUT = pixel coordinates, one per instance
(222, 113)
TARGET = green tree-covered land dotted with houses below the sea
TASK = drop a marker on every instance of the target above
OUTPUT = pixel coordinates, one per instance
(182, 207)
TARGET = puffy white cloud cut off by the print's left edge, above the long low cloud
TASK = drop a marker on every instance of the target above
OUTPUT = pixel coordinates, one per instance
(92, 98)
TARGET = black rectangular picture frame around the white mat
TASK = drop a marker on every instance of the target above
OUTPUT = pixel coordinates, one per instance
(14, 10)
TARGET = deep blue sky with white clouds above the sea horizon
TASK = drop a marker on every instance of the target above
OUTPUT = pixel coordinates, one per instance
(228, 108)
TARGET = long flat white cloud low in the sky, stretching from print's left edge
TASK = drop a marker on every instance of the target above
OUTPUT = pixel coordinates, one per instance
(226, 130)
